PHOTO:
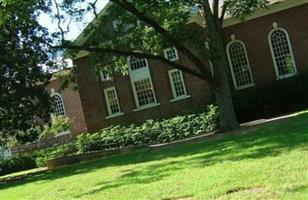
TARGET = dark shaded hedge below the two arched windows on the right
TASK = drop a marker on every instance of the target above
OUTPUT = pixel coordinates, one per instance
(271, 100)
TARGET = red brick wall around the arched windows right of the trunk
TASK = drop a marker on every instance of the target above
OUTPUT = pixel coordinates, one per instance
(254, 34)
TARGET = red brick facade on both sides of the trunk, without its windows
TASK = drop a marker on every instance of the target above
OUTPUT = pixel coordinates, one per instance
(254, 33)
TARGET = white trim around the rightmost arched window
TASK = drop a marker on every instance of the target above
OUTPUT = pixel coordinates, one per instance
(273, 55)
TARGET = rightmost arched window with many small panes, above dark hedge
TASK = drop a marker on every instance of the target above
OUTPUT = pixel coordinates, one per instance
(282, 53)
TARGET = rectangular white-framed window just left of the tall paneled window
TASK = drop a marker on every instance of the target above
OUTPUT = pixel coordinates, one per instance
(112, 101)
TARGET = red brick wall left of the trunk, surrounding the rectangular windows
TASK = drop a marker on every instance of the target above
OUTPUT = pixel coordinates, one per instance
(94, 105)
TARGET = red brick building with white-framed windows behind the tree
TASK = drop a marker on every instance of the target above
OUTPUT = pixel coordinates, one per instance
(269, 46)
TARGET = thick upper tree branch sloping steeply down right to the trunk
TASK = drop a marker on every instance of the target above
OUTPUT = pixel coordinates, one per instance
(142, 17)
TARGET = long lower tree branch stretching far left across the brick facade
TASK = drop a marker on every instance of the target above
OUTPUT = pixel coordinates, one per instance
(135, 54)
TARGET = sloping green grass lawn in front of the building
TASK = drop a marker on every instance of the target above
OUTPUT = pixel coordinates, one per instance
(271, 162)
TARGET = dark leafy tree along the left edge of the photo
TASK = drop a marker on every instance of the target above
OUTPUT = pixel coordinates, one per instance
(23, 53)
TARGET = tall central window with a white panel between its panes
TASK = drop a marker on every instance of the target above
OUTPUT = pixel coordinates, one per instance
(141, 83)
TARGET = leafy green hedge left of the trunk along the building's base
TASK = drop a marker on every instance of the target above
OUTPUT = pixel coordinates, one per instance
(150, 132)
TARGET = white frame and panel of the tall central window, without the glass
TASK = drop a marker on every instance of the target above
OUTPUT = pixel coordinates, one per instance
(138, 75)
